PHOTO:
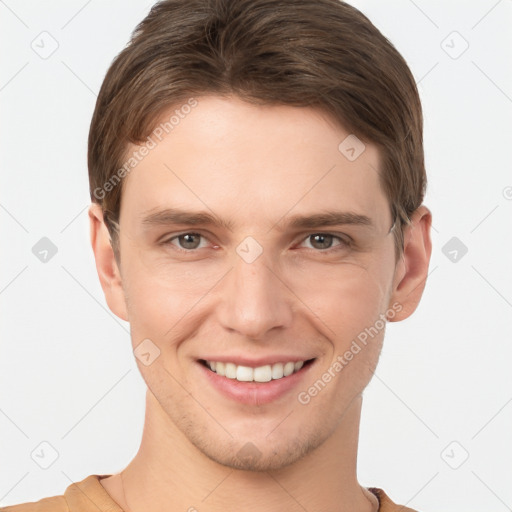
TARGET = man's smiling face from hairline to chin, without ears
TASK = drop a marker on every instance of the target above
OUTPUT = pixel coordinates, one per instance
(250, 241)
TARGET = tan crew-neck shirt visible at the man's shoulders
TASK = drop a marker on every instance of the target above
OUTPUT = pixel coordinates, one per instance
(90, 496)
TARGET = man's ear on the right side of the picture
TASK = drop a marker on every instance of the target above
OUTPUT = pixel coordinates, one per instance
(412, 269)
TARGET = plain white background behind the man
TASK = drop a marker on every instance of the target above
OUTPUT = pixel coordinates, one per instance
(67, 374)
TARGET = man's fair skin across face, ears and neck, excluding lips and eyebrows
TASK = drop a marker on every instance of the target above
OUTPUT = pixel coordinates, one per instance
(254, 166)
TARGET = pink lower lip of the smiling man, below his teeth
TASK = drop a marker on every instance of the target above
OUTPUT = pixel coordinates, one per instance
(255, 393)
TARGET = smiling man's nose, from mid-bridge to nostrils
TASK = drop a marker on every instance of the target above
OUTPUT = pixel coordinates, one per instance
(254, 299)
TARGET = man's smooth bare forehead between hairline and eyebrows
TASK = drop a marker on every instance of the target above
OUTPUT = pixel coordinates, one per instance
(252, 164)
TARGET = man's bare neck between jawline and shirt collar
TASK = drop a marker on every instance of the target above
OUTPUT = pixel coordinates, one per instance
(170, 473)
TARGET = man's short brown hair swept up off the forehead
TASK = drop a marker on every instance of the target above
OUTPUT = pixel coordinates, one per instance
(318, 53)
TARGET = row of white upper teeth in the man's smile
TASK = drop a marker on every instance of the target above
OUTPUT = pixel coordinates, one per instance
(260, 374)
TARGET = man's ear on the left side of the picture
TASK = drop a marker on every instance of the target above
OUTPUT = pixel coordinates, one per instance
(106, 265)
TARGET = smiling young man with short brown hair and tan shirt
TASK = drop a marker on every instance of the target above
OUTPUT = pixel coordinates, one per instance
(257, 176)
